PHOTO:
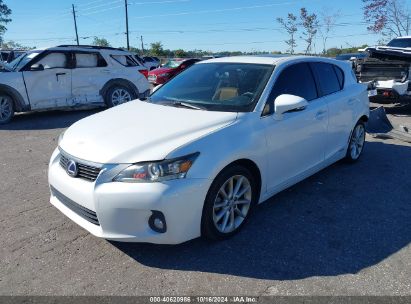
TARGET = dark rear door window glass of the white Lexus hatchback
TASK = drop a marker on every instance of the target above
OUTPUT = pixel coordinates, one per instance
(327, 77)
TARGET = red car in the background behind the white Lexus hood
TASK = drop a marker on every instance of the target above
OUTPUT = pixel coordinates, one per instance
(169, 70)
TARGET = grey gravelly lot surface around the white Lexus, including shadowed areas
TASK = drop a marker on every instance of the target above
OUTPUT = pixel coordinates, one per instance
(344, 231)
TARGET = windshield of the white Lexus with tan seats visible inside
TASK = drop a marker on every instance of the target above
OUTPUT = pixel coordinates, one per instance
(231, 87)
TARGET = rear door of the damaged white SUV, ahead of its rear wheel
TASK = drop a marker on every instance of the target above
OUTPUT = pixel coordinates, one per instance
(89, 76)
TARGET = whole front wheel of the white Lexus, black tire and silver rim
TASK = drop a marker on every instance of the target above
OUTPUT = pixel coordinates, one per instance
(217, 210)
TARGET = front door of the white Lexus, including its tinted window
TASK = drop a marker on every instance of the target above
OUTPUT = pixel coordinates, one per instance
(296, 142)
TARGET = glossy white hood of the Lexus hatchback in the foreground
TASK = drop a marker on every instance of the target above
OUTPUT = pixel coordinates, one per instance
(139, 131)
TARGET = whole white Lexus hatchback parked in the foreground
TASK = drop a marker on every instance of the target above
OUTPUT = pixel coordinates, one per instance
(205, 148)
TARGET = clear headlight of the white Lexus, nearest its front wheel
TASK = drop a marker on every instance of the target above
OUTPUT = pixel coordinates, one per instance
(149, 172)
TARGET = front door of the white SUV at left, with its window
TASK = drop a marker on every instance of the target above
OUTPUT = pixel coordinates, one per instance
(48, 81)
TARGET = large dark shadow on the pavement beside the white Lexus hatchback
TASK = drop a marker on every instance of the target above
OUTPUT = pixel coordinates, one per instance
(340, 221)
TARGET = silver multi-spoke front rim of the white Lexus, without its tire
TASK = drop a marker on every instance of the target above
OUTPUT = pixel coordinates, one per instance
(232, 204)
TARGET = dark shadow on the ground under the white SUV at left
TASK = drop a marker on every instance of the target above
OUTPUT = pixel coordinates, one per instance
(47, 120)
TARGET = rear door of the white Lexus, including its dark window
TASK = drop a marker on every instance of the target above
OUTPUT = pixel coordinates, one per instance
(331, 84)
